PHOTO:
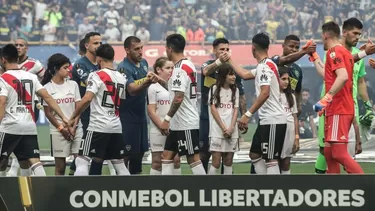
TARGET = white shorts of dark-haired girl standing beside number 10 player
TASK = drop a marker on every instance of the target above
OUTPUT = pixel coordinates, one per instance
(62, 148)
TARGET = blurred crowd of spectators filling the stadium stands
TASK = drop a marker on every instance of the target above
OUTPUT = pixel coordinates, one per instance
(196, 20)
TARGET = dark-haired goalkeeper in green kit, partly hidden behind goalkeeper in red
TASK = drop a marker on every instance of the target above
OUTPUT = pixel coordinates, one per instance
(352, 31)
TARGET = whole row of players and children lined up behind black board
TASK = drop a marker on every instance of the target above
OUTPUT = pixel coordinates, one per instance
(117, 113)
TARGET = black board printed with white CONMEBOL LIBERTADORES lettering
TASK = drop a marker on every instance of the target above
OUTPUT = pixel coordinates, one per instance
(206, 193)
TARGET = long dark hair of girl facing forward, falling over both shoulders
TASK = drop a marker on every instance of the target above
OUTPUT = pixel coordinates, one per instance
(221, 76)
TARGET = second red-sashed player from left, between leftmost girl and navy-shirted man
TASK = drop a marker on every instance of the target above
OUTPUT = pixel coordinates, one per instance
(103, 139)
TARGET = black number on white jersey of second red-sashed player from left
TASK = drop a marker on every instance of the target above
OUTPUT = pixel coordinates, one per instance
(114, 93)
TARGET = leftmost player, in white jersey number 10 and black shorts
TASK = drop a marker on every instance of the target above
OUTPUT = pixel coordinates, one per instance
(18, 128)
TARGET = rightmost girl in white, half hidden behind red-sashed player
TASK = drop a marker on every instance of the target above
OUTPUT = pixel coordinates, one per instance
(288, 100)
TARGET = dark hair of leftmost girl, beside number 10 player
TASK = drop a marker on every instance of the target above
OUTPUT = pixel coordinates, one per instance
(54, 63)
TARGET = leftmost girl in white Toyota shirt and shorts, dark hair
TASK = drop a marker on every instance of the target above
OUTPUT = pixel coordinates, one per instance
(66, 94)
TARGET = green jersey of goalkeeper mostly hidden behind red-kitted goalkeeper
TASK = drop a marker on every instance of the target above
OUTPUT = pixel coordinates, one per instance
(358, 72)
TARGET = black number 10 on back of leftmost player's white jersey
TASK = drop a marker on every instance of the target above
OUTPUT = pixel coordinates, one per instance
(24, 91)
